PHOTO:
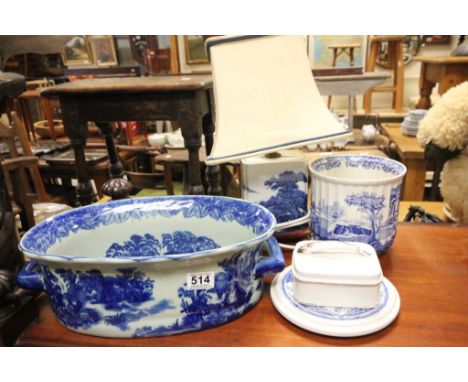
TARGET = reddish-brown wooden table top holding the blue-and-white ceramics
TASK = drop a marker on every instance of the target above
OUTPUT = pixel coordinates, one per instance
(428, 264)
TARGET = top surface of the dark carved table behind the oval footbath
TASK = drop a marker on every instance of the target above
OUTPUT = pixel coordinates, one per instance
(131, 85)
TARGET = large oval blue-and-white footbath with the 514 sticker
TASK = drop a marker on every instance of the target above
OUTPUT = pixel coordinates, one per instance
(152, 266)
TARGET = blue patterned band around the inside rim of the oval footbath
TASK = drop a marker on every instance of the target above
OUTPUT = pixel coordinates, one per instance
(42, 236)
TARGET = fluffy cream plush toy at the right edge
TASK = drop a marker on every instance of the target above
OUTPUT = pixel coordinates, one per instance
(444, 132)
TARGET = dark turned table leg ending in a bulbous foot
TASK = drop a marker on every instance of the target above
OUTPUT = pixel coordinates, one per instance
(117, 187)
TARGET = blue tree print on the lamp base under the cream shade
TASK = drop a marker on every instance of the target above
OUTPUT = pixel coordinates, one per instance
(290, 202)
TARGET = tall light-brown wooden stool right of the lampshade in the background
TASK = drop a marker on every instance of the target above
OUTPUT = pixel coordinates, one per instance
(395, 58)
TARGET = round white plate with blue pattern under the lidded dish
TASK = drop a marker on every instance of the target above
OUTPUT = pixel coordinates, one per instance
(336, 322)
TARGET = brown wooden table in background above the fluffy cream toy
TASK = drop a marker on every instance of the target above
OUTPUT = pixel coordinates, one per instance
(447, 71)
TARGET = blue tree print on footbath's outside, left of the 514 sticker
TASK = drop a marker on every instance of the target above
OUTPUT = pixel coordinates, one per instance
(84, 299)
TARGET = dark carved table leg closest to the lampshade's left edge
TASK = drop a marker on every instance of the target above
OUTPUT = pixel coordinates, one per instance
(191, 124)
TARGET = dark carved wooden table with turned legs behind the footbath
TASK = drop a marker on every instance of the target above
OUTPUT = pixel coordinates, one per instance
(184, 98)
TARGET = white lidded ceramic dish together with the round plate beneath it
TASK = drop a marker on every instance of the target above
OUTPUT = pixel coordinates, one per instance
(336, 289)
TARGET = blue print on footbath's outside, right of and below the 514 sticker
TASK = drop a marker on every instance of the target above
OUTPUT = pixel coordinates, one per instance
(235, 291)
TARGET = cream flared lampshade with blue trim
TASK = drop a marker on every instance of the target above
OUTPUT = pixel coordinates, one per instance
(266, 97)
